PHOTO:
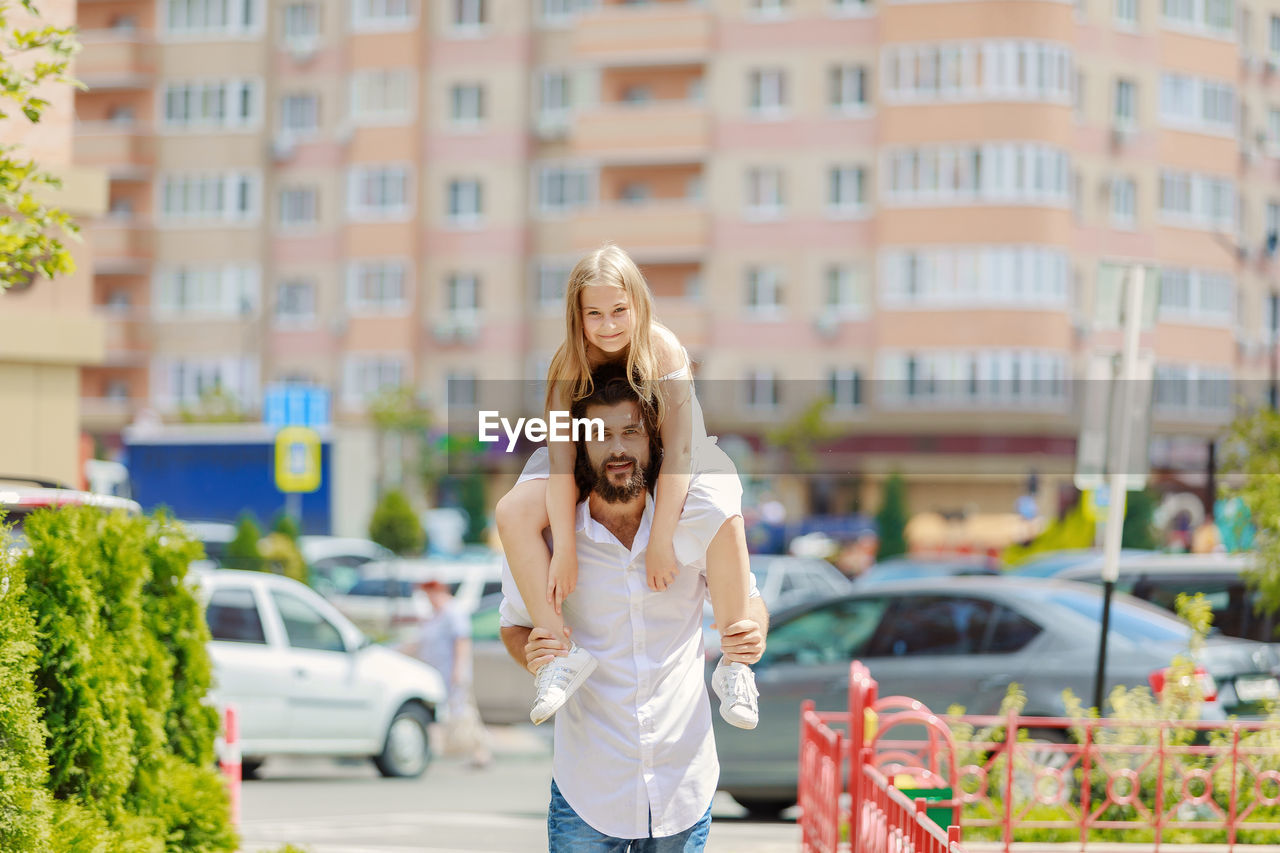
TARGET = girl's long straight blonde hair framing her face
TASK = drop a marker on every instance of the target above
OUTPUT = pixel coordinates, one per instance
(607, 266)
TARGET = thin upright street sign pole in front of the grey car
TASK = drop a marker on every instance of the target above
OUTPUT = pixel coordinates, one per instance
(1119, 469)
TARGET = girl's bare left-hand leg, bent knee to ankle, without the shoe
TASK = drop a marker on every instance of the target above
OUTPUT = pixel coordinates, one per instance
(522, 517)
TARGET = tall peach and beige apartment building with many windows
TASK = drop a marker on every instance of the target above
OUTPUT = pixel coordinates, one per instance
(913, 207)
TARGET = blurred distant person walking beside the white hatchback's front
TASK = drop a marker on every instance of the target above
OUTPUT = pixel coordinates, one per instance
(445, 642)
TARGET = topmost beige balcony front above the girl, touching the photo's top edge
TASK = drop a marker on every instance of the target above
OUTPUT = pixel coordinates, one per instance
(644, 35)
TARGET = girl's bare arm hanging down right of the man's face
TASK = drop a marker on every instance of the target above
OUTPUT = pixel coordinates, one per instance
(673, 482)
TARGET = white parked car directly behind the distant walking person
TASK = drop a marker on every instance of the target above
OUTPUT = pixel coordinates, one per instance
(386, 601)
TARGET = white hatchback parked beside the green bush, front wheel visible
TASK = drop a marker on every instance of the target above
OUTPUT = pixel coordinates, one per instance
(307, 682)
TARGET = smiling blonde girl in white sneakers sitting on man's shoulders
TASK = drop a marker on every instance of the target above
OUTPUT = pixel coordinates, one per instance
(609, 320)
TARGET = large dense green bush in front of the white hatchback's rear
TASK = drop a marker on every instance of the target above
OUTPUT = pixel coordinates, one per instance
(122, 673)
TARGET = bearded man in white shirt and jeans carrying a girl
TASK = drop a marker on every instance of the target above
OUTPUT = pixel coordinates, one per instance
(634, 760)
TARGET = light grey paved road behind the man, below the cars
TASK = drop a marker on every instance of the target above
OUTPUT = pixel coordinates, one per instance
(345, 808)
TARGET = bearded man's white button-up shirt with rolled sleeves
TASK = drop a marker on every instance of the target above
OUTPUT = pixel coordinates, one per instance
(637, 737)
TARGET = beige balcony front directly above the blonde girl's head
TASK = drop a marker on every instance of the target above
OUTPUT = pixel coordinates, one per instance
(651, 231)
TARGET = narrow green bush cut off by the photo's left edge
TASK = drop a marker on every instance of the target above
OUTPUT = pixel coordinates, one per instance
(25, 801)
